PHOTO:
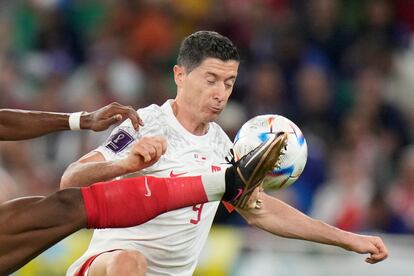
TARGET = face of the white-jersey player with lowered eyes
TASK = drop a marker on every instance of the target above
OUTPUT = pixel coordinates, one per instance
(205, 90)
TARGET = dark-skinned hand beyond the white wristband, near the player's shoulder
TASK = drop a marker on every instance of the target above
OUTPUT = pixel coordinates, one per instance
(108, 115)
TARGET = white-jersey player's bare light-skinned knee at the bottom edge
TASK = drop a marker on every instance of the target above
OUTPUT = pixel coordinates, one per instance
(127, 263)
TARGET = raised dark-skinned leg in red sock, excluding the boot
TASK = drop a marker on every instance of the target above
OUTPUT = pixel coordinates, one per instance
(30, 225)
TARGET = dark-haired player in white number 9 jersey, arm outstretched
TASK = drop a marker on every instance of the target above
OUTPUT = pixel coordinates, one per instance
(171, 243)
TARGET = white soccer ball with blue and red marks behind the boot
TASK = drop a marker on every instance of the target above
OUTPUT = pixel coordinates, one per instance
(257, 130)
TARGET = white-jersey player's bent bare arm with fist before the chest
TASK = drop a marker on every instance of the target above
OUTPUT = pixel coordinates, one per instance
(93, 168)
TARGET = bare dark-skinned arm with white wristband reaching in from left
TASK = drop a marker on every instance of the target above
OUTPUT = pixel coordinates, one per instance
(23, 124)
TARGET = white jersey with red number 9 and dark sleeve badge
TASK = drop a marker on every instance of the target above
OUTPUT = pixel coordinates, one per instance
(172, 241)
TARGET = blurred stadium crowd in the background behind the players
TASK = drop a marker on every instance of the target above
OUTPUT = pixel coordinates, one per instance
(343, 71)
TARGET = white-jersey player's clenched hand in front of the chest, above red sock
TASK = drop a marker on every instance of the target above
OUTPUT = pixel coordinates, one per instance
(144, 153)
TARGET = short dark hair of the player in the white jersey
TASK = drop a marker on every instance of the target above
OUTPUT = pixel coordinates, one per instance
(205, 44)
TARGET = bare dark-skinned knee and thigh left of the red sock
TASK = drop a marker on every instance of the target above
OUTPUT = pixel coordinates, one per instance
(30, 225)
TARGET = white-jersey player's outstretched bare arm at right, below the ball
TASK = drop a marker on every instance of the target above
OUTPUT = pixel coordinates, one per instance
(280, 219)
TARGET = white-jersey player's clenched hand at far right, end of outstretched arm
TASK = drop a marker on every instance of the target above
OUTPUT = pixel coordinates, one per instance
(369, 245)
